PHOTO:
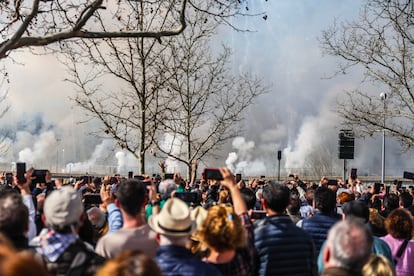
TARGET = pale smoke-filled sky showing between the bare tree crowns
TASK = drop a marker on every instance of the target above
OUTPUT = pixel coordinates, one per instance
(296, 116)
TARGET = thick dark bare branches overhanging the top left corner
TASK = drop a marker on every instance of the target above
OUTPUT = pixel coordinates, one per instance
(27, 23)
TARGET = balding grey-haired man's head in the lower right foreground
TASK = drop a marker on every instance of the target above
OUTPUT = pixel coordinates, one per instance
(349, 245)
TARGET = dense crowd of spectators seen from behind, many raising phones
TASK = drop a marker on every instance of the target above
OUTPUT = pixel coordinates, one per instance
(167, 225)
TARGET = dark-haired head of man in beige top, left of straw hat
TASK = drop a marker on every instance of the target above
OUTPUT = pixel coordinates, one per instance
(131, 195)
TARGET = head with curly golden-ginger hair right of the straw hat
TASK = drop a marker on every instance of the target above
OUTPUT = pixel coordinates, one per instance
(222, 229)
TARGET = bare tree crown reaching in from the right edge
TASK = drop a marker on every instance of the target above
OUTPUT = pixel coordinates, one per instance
(381, 43)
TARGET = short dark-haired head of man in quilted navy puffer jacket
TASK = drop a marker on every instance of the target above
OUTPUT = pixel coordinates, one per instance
(276, 197)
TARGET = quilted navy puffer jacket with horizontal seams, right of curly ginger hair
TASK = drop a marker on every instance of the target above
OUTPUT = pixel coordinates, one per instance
(283, 248)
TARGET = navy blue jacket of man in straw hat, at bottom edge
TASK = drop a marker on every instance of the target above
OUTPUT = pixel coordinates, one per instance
(179, 261)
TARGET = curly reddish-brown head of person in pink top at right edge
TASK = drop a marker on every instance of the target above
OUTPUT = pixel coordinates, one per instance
(399, 224)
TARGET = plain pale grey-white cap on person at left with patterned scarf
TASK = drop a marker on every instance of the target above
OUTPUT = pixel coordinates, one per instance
(63, 207)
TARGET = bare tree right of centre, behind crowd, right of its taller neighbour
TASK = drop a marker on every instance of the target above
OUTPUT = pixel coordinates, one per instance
(205, 100)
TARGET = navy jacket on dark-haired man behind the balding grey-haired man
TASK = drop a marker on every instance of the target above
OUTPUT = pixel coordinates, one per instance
(318, 226)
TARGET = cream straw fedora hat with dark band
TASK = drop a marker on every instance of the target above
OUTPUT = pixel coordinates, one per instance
(173, 220)
